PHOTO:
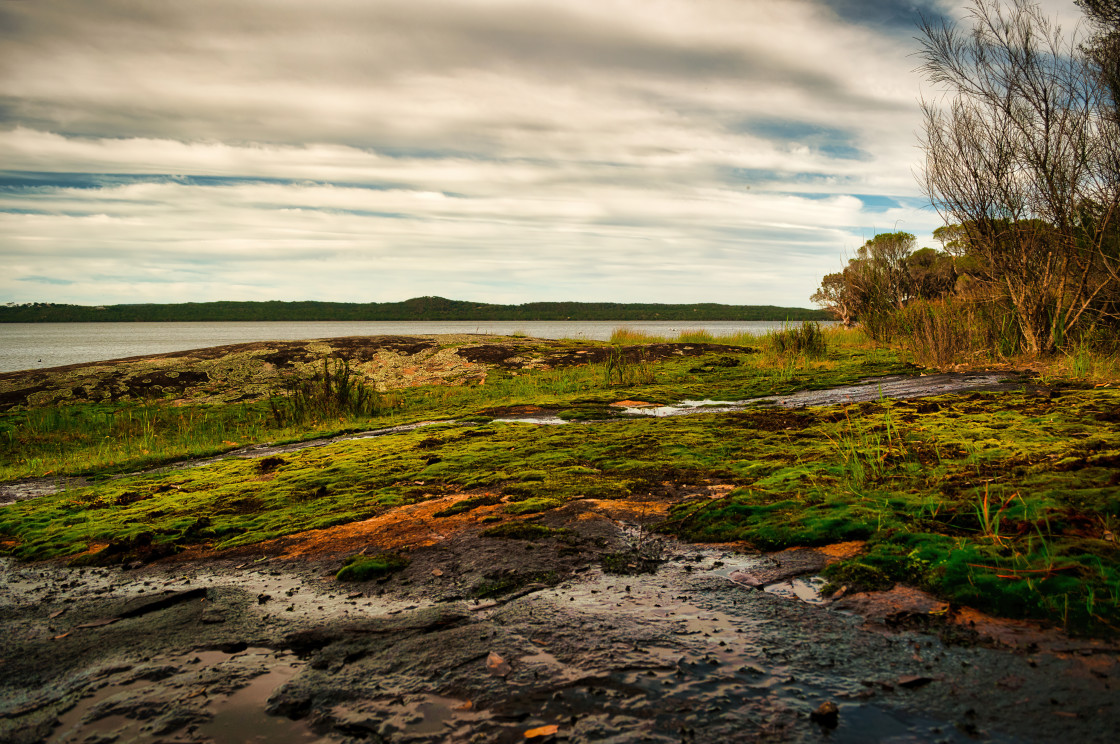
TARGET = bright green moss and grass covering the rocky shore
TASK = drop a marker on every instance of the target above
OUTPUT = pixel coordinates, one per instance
(1005, 501)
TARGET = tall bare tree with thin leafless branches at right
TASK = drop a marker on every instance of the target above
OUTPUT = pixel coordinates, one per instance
(1022, 154)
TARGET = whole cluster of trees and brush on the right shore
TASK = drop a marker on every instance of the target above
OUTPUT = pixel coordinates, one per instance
(1023, 164)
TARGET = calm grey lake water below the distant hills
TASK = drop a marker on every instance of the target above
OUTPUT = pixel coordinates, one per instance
(38, 346)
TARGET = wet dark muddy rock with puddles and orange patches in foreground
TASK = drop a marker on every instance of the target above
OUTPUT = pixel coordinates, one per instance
(488, 640)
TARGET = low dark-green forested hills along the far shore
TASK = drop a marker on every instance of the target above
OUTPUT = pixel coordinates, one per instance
(419, 309)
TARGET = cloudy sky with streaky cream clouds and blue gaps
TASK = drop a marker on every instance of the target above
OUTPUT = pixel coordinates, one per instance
(493, 151)
